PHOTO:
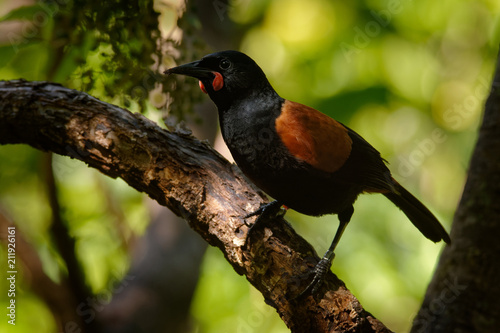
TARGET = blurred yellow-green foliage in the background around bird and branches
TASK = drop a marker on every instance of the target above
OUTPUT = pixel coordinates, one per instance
(410, 76)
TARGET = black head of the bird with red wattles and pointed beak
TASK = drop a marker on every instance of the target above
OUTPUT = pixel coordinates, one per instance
(225, 76)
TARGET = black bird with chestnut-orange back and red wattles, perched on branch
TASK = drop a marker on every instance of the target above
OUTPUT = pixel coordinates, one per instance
(302, 158)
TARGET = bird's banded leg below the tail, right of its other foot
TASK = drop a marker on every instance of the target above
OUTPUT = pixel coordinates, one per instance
(323, 266)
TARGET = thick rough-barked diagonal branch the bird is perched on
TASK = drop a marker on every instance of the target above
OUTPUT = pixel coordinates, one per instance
(195, 182)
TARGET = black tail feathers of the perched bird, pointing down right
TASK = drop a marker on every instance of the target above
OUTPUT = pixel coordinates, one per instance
(419, 215)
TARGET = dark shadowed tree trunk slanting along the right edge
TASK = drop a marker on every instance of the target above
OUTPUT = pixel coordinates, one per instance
(464, 292)
